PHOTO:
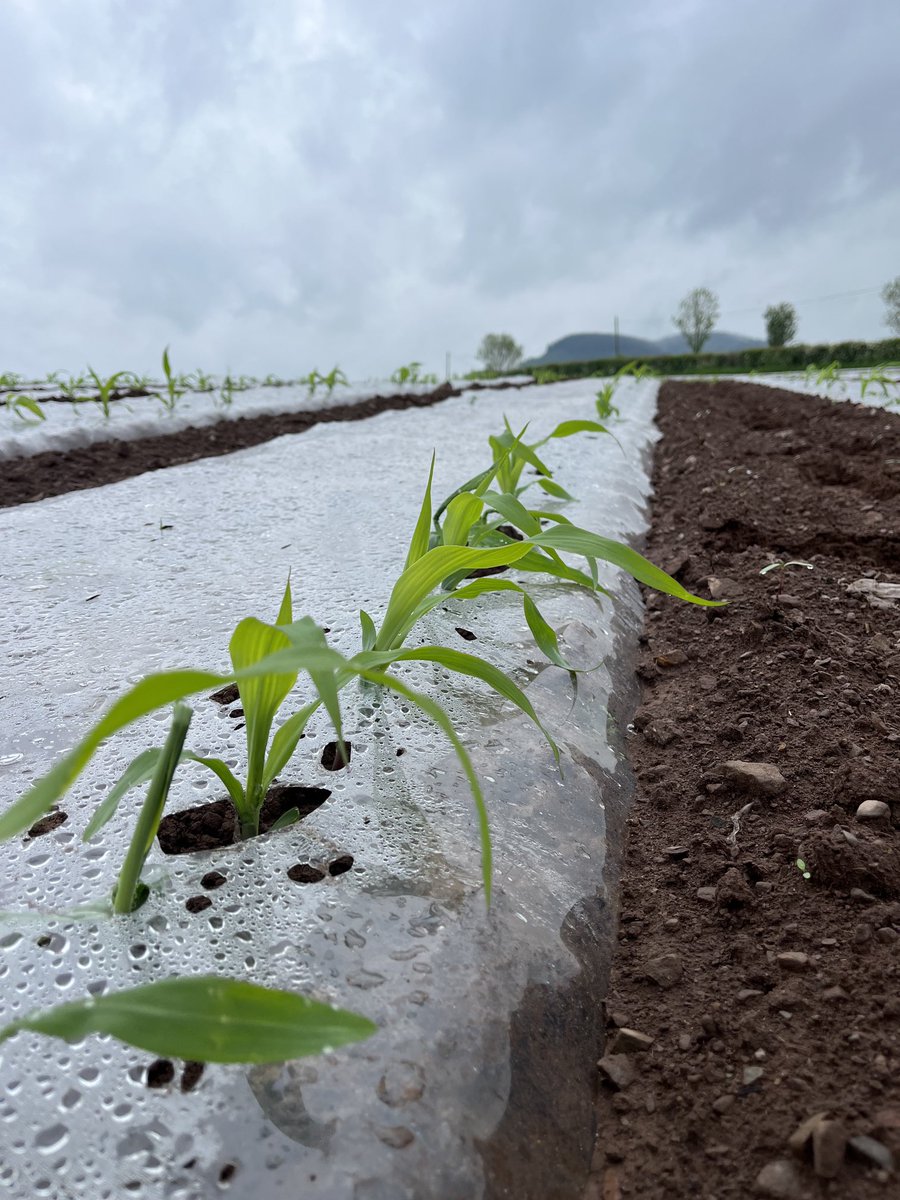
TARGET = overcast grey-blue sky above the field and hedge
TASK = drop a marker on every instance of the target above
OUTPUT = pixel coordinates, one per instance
(279, 185)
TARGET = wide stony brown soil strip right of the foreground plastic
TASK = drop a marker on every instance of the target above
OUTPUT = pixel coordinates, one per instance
(770, 998)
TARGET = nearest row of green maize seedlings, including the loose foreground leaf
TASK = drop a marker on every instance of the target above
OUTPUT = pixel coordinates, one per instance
(459, 550)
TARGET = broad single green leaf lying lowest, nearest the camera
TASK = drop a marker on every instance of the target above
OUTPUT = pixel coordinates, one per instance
(207, 1018)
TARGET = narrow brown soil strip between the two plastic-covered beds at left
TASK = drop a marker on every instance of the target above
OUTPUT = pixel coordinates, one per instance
(57, 472)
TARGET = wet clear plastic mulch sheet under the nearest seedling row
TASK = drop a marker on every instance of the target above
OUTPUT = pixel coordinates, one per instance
(479, 1082)
